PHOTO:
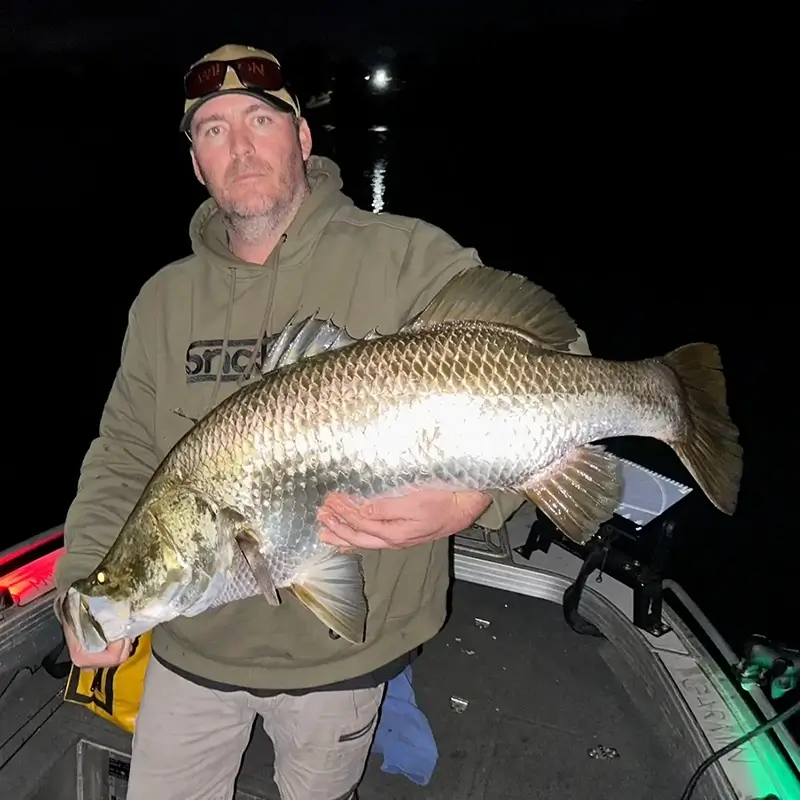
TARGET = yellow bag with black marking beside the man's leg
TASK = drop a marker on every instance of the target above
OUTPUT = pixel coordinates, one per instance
(113, 693)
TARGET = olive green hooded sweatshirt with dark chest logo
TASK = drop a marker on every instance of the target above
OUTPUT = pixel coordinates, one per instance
(196, 333)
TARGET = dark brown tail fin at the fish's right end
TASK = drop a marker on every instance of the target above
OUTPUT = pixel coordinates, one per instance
(709, 447)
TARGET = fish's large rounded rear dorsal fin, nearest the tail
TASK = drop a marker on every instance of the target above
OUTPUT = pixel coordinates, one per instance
(484, 294)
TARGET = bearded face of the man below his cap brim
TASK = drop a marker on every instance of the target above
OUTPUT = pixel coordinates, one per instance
(250, 156)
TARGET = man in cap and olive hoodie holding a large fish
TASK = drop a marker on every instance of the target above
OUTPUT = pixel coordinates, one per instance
(277, 236)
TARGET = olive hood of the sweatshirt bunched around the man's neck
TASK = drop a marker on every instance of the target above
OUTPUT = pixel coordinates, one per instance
(210, 239)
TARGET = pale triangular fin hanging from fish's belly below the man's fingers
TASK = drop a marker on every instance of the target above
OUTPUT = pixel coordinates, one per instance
(333, 590)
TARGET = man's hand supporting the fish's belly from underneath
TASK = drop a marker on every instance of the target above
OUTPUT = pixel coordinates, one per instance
(395, 522)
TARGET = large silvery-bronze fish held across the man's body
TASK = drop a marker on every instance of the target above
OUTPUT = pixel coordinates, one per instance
(478, 392)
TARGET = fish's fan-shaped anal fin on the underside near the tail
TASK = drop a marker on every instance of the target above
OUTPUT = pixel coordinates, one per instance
(579, 492)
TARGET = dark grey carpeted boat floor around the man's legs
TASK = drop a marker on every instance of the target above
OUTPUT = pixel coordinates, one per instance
(538, 698)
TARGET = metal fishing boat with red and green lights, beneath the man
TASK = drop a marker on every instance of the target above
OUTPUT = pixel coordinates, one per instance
(541, 684)
